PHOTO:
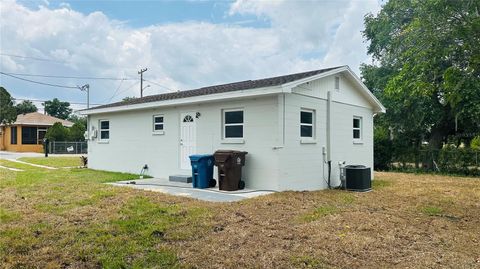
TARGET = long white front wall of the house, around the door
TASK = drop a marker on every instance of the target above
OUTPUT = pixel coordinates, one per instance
(133, 144)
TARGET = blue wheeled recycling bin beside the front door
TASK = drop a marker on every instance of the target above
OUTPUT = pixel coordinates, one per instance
(202, 171)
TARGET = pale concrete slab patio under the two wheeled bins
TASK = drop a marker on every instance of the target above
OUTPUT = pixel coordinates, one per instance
(186, 190)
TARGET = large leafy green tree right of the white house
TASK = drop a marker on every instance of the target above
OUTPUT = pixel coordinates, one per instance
(427, 70)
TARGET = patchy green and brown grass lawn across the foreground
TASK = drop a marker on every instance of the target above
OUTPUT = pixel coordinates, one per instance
(68, 218)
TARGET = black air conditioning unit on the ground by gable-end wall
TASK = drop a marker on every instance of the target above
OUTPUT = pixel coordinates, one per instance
(358, 178)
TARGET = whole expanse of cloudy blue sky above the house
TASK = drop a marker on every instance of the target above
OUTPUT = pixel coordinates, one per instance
(184, 44)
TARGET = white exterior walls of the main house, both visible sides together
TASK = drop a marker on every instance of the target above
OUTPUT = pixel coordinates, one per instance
(278, 158)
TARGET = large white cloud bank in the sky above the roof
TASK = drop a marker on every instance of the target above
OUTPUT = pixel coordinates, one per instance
(302, 36)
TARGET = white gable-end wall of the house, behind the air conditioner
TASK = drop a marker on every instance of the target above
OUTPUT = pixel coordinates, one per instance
(302, 161)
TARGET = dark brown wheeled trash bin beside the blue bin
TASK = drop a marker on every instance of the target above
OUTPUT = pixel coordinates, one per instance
(230, 163)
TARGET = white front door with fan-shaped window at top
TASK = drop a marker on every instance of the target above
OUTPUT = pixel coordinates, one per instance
(188, 139)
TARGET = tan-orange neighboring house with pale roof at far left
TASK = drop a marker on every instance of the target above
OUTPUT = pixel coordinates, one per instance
(27, 132)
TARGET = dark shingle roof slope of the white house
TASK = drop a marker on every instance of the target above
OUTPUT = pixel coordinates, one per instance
(235, 86)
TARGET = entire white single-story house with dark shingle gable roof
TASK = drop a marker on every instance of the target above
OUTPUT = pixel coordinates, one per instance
(291, 126)
